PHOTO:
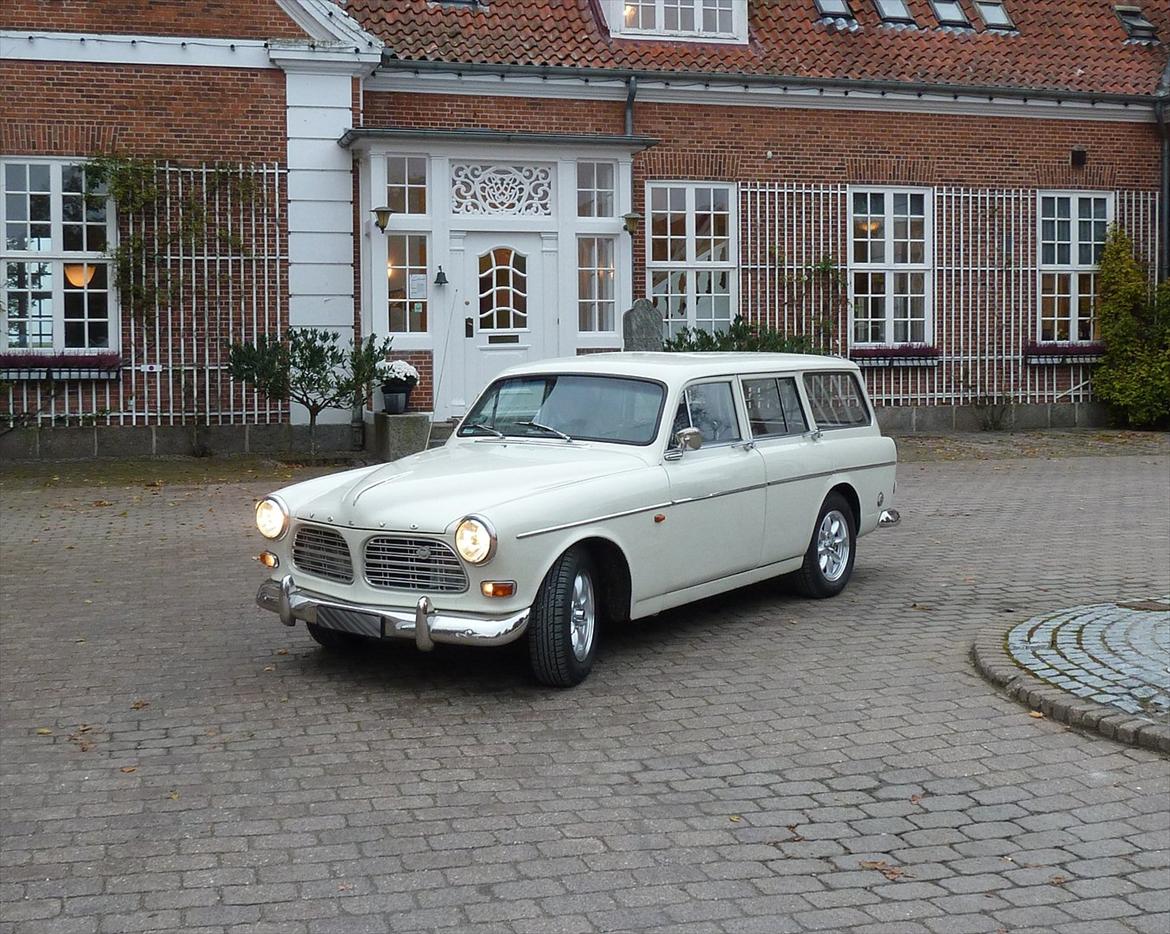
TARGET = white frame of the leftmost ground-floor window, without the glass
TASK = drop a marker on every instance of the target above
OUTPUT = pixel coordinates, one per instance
(58, 257)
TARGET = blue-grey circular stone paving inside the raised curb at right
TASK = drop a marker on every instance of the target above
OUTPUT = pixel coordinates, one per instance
(1118, 655)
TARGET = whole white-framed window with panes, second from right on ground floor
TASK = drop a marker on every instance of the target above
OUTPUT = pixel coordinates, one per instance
(891, 266)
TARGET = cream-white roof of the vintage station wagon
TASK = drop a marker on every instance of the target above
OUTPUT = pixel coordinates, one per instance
(676, 368)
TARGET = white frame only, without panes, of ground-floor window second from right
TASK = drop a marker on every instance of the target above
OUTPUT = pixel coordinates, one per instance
(891, 269)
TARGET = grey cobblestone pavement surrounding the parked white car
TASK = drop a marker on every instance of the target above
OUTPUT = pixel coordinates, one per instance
(175, 760)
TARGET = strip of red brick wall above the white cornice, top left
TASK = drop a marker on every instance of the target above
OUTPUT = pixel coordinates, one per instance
(257, 19)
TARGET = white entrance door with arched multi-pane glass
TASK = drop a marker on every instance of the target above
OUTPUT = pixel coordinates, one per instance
(511, 317)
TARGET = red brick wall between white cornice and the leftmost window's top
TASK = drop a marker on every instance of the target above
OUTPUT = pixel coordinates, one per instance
(185, 114)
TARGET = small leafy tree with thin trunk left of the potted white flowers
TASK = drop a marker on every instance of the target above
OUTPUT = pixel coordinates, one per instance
(309, 368)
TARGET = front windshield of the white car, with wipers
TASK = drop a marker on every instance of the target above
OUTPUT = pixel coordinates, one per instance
(579, 408)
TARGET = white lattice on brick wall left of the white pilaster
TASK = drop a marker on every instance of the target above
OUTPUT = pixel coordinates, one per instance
(219, 274)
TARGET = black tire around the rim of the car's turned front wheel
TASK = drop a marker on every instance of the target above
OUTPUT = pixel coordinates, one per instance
(552, 651)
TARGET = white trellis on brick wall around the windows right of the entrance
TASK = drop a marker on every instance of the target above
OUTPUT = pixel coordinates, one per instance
(985, 286)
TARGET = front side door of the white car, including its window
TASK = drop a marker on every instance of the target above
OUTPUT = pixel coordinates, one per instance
(718, 495)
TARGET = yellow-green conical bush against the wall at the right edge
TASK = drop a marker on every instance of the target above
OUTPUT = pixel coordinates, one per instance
(1134, 375)
